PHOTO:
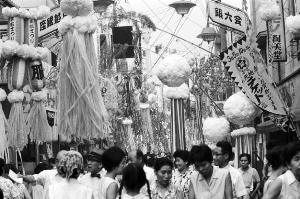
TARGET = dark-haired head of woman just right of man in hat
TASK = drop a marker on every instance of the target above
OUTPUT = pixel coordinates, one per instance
(113, 160)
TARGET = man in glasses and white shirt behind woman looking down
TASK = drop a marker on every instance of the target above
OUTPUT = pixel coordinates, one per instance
(222, 155)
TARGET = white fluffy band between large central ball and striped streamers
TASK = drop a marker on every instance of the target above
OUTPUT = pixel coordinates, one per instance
(181, 92)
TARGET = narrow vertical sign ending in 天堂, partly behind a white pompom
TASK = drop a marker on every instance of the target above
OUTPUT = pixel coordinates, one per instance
(278, 37)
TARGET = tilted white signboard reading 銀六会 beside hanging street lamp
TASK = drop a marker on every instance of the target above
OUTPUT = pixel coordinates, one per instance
(227, 16)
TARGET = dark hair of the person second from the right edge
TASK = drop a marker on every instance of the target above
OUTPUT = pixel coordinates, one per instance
(275, 157)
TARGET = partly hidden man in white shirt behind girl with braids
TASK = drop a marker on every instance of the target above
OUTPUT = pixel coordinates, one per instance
(137, 156)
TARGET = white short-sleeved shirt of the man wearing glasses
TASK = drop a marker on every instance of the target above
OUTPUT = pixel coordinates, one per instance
(238, 186)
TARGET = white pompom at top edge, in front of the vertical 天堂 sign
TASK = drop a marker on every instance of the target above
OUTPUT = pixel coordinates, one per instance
(268, 10)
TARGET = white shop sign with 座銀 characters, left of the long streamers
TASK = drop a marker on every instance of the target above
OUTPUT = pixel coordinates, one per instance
(50, 24)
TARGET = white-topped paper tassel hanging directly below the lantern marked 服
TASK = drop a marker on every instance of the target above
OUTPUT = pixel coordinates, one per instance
(37, 123)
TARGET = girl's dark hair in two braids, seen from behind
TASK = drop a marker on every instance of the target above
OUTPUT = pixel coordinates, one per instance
(134, 178)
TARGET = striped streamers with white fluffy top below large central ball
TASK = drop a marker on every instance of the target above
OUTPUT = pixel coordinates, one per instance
(177, 95)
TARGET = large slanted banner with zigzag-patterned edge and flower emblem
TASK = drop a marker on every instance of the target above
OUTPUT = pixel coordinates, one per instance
(247, 68)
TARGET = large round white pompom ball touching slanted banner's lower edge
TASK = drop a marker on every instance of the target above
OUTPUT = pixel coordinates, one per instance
(240, 110)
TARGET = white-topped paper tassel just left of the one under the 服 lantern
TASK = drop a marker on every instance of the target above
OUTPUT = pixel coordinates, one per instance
(17, 137)
